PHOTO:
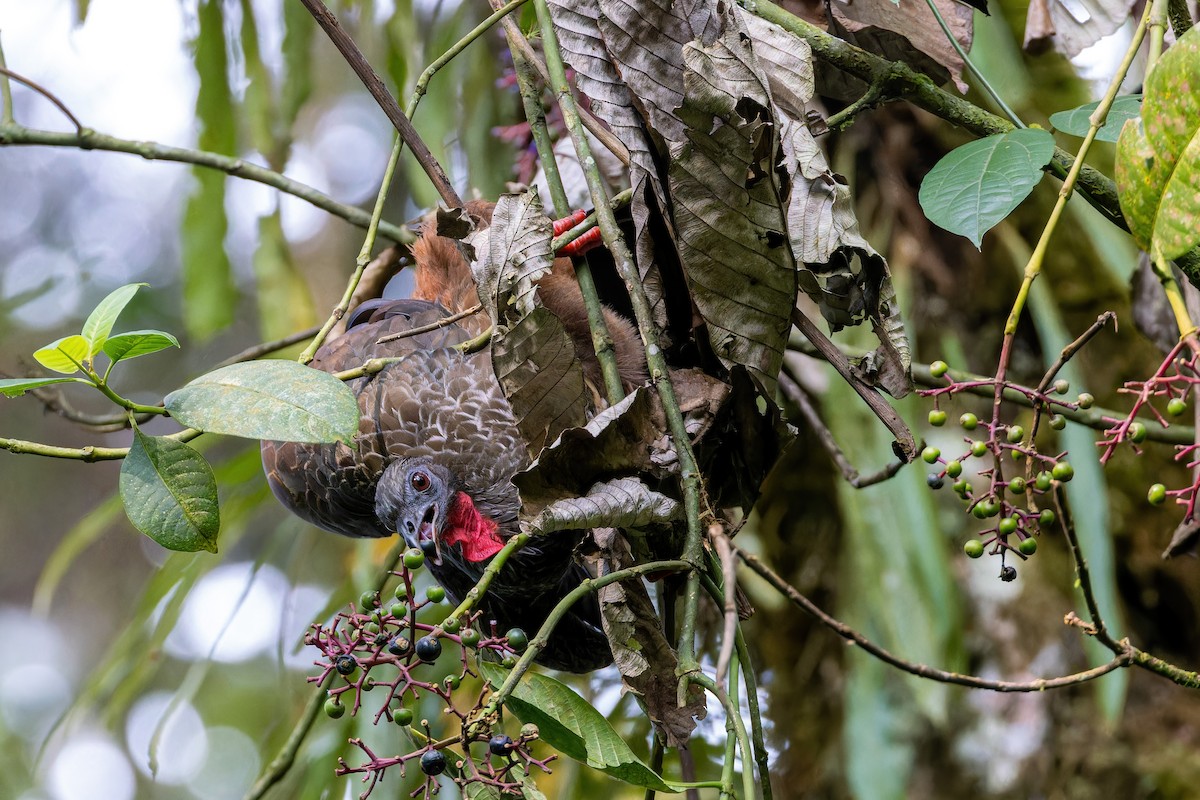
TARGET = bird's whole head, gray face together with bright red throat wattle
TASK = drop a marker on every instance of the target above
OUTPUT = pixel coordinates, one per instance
(423, 503)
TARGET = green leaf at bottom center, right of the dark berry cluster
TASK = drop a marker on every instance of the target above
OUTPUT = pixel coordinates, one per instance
(572, 726)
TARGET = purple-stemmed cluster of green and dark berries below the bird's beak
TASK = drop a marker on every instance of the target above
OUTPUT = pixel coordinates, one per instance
(380, 648)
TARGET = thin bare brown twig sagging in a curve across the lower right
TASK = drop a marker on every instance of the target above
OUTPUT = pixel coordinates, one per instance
(922, 671)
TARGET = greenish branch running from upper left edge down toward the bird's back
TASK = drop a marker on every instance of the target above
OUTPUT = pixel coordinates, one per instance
(89, 140)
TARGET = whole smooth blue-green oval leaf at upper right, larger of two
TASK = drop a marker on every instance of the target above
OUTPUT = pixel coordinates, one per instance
(976, 187)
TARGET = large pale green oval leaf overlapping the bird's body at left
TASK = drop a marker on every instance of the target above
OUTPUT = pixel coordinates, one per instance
(268, 400)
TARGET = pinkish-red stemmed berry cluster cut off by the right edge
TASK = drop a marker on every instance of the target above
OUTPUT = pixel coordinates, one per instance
(1174, 381)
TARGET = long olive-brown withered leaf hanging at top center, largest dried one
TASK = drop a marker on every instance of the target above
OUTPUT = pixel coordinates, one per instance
(730, 196)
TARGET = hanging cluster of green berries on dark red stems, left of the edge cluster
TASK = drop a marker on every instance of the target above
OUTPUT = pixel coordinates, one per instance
(1011, 502)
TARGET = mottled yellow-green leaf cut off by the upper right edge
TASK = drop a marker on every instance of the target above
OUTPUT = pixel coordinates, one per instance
(1159, 157)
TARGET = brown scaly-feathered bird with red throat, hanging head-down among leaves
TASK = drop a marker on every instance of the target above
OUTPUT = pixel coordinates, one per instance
(439, 447)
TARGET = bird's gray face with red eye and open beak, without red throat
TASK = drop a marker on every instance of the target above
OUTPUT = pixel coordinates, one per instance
(413, 498)
